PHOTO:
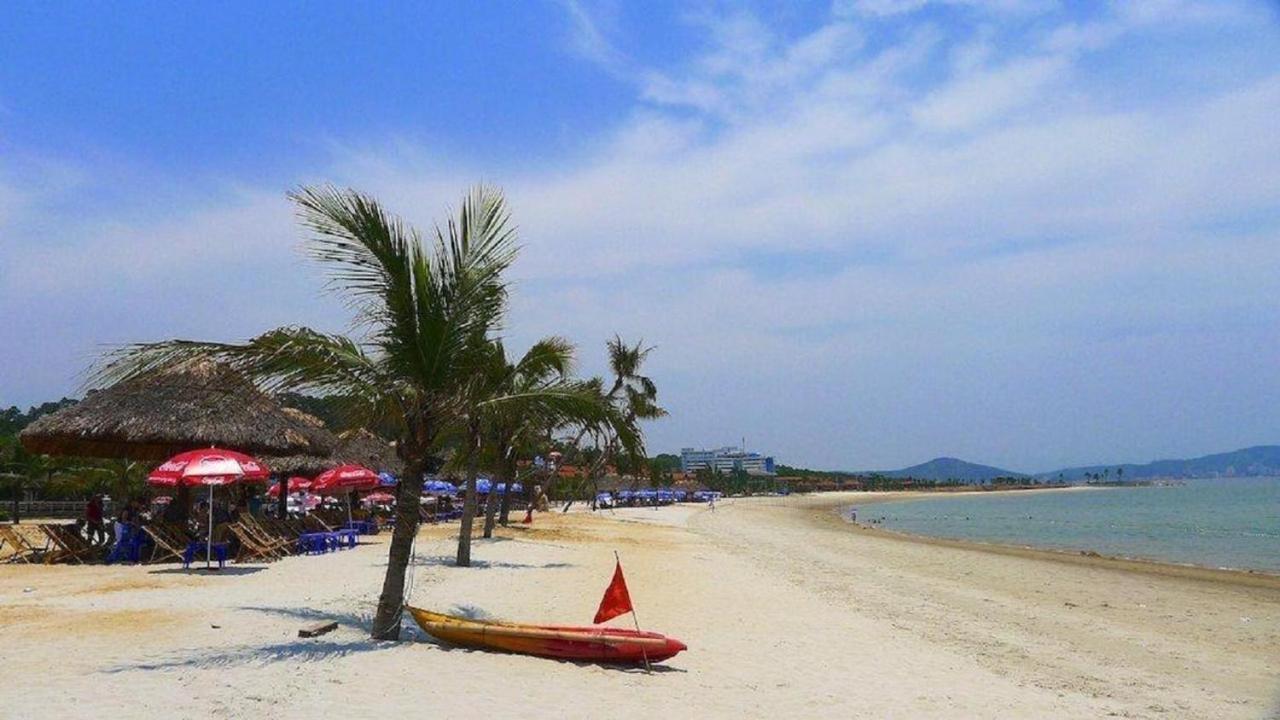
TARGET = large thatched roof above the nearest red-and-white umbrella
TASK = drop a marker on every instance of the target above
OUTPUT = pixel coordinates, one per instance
(161, 414)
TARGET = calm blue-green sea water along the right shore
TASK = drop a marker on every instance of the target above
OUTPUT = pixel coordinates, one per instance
(1217, 523)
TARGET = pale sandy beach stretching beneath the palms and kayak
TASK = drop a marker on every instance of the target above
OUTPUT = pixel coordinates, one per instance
(788, 610)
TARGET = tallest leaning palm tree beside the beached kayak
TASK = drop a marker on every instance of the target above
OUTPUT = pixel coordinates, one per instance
(419, 309)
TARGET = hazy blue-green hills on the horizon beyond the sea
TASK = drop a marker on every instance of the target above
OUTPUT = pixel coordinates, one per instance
(1251, 462)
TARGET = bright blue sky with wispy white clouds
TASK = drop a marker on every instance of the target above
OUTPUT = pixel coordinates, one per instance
(861, 234)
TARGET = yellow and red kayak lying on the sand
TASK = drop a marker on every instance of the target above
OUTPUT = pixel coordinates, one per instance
(589, 645)
